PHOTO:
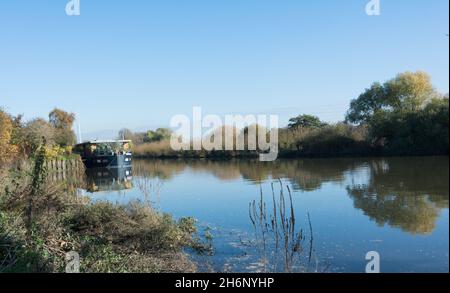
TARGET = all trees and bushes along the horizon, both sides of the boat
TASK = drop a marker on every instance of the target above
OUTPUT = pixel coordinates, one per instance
(402, 116)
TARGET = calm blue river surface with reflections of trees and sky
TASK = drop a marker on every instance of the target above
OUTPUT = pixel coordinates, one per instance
(395, 206)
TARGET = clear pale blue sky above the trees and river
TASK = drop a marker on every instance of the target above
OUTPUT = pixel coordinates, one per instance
(137, 63)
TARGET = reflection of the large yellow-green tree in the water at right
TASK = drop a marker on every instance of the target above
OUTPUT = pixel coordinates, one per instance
(404, 194)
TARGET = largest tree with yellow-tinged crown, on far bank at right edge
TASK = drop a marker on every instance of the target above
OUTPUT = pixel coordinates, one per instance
(405, 115)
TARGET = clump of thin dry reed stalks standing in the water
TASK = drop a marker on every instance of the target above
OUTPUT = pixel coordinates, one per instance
(277, 239)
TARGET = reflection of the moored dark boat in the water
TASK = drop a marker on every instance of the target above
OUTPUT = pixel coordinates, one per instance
(109, 179)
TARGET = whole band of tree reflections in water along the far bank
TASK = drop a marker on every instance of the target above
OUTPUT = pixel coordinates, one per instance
(405, 193)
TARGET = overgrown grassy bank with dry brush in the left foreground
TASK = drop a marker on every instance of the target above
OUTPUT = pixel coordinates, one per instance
(40, 224)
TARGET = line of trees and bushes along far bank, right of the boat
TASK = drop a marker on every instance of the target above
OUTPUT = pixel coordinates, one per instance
(403, 116)
